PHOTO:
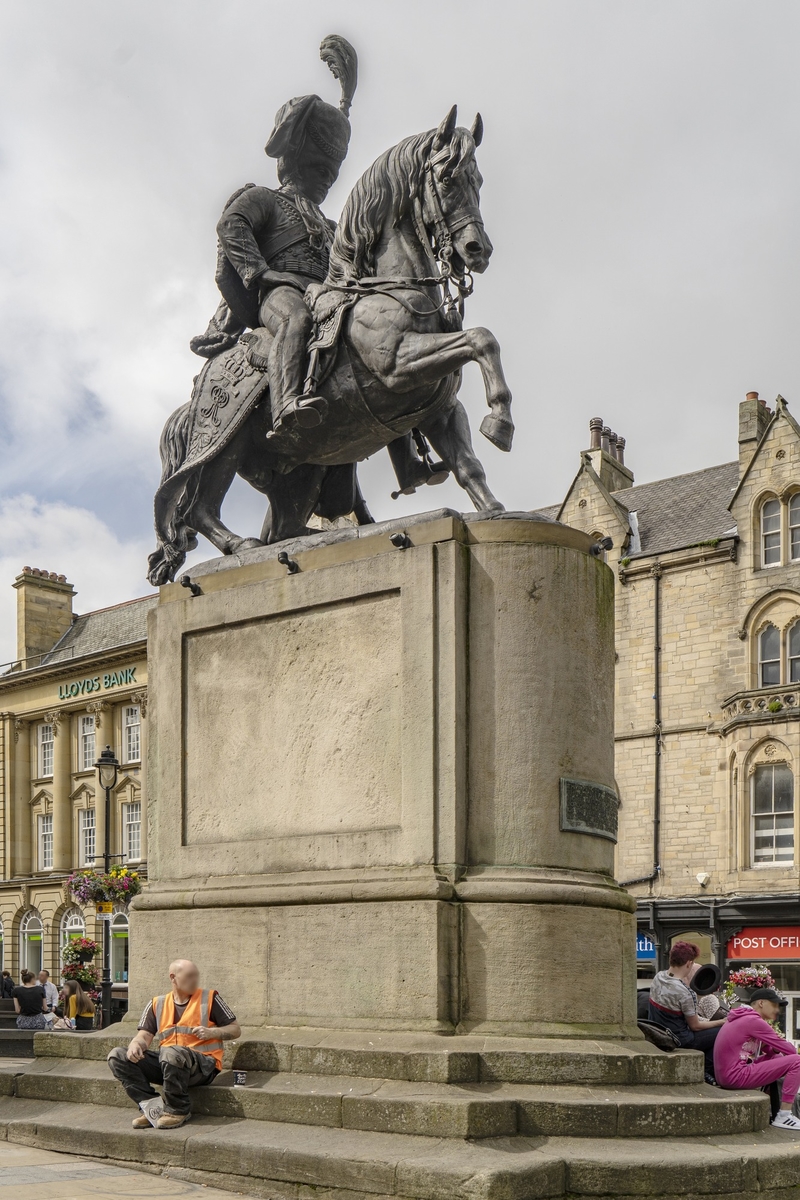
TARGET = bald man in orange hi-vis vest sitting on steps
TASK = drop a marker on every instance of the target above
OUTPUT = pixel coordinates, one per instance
(194, 1023)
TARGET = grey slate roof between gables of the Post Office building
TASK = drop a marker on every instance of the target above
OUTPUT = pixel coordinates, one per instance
(683, 511)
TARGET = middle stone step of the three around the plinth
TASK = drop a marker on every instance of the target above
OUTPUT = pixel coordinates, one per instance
(434, 1111)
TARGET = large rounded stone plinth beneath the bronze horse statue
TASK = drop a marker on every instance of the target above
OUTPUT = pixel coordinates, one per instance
(382, 788)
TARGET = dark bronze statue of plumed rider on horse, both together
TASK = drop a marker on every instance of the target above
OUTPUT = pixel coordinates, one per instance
(334, 343)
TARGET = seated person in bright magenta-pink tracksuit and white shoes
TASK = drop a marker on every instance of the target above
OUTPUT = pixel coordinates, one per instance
(750, 1054)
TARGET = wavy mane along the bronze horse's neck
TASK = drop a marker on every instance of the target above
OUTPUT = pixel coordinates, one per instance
(386, 193)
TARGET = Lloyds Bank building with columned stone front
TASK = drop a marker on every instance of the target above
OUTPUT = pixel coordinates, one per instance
(80, 683)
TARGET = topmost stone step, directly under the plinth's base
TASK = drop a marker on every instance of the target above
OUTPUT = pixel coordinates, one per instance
(426, 1058)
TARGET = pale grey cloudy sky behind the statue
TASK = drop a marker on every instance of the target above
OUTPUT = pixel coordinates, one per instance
(642, 182)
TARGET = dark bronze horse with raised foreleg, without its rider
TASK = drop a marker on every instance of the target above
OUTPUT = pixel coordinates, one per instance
(388, 357)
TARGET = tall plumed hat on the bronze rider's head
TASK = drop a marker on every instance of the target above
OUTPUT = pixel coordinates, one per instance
(309, 117)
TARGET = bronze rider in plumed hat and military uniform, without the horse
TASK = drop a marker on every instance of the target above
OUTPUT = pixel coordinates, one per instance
(275, 244)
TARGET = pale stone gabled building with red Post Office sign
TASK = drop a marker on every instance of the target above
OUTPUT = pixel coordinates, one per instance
(708, 692)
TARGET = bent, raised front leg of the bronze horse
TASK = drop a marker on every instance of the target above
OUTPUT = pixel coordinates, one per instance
(428, 358)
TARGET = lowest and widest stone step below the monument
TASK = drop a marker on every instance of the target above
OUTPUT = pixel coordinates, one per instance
(292, 1161)
